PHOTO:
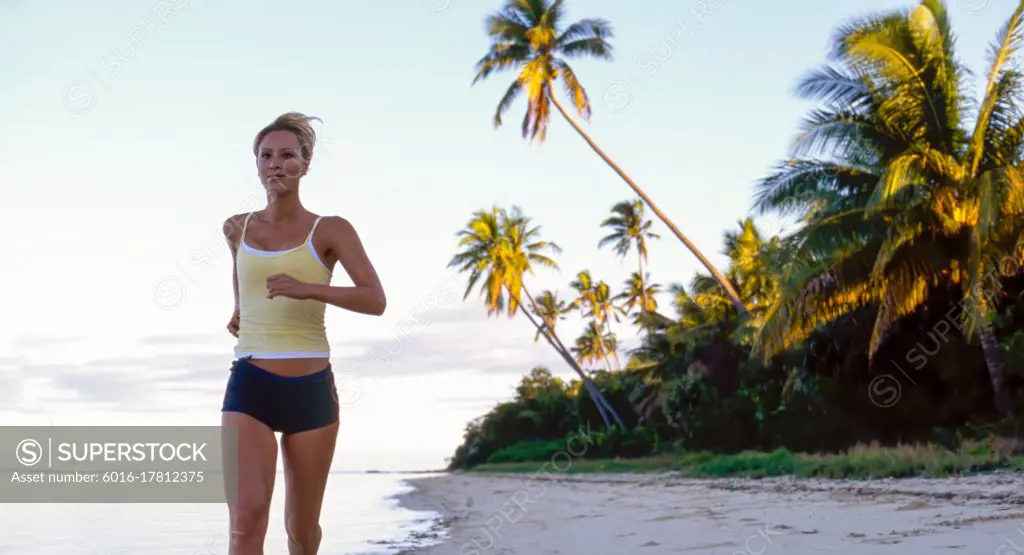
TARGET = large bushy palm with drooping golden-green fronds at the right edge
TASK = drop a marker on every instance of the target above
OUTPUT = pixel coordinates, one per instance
(902, 197)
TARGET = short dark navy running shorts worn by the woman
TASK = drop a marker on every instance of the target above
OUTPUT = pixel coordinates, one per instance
(286, 405)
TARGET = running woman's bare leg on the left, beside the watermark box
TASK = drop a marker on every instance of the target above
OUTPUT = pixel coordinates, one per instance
(250, 515)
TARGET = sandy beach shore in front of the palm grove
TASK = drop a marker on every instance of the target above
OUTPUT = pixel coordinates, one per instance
(613, 515)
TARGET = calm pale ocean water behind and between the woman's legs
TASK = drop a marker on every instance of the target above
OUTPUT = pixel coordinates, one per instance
(360, 518)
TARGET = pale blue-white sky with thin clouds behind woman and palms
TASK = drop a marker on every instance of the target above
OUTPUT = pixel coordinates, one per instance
(127, 139)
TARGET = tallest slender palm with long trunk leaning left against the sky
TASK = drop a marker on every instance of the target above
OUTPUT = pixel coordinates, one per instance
(528, 35)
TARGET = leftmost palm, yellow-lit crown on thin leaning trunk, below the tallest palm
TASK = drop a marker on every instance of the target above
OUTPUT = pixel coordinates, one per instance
(497, 249)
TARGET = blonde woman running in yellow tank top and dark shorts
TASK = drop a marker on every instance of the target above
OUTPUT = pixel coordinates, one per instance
(282, 379)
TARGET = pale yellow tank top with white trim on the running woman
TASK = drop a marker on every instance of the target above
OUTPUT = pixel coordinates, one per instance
(280, 328)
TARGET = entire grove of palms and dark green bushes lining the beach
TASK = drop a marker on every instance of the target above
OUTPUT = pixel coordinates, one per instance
(907, 267)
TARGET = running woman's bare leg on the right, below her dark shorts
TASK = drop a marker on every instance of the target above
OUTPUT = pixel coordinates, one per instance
(308, 462)
